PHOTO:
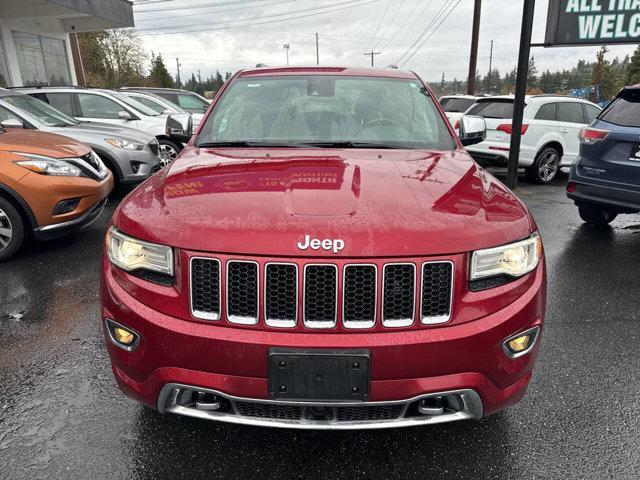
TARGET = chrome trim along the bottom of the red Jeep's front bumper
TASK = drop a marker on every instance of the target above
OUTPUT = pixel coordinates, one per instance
(170, 400)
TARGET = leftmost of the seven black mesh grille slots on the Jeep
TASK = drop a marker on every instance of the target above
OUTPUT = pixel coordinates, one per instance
(205, 287)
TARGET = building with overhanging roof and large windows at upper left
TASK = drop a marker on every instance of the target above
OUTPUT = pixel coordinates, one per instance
(38, 45)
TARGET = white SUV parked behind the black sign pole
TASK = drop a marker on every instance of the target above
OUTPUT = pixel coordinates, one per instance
(550, 133)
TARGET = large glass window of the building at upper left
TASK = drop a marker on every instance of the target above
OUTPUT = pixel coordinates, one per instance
(42, 60)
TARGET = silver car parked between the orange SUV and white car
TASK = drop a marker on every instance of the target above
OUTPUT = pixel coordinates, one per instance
(131, 155)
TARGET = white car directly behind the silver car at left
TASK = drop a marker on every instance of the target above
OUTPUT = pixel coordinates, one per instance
(106, 106)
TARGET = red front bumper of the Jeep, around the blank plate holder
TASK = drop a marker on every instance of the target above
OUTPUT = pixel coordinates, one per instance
(405, 366)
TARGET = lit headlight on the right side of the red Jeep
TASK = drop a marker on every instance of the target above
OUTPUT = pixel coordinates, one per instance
(515, 260)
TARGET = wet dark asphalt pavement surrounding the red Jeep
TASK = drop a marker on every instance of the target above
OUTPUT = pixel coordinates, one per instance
(62, 416)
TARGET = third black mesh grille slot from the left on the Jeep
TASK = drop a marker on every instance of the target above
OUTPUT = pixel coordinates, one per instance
(281, 292)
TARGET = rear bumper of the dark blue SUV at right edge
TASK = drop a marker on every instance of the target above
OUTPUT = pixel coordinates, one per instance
(621, 197)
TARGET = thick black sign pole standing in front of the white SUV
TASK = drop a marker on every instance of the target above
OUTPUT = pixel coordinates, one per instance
(521, 91)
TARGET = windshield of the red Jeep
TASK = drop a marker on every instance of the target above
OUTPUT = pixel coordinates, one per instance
(327, 111)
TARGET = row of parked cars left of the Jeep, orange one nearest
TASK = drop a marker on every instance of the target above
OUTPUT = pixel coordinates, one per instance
(63, 148)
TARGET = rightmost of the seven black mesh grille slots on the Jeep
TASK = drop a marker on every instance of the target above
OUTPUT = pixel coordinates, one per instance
(436, 290)
